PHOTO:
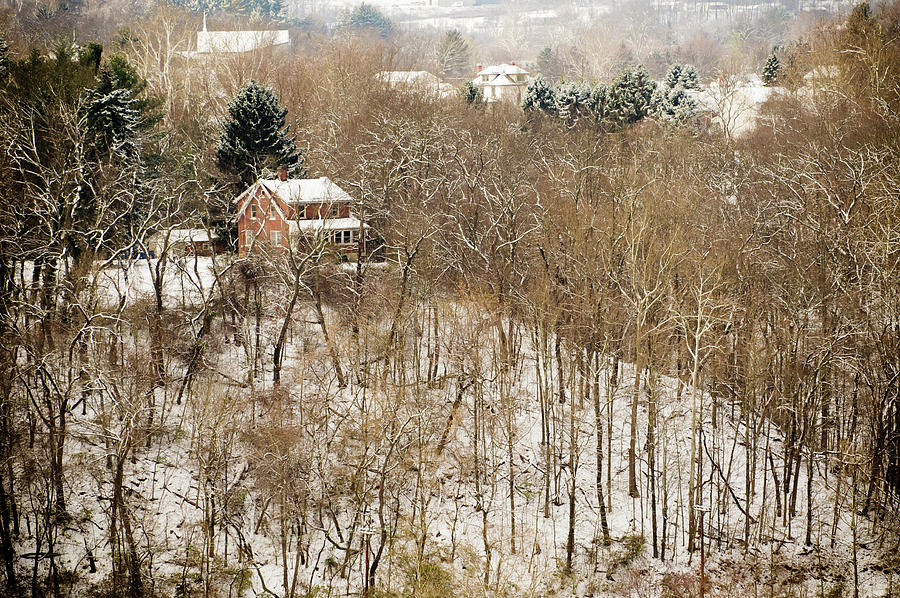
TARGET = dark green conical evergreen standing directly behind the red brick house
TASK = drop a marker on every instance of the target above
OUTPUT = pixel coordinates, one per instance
(255, 136)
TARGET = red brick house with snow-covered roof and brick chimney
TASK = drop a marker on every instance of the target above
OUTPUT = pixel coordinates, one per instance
(279, 212)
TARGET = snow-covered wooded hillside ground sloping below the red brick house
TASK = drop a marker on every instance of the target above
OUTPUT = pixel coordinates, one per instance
(203, 451)
